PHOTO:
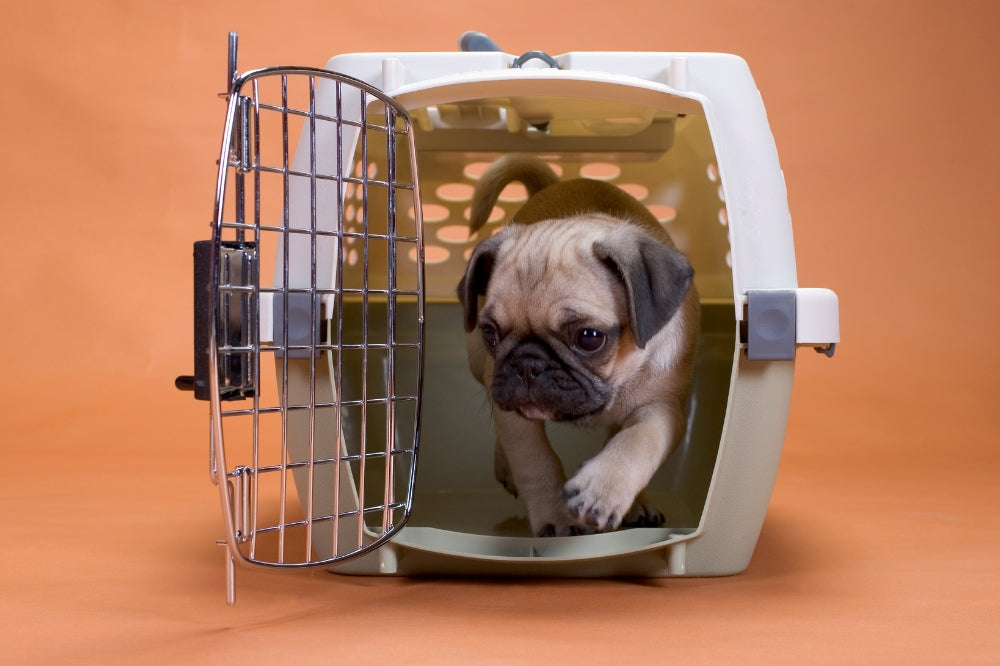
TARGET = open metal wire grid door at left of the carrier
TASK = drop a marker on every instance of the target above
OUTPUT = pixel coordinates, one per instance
(317, 318)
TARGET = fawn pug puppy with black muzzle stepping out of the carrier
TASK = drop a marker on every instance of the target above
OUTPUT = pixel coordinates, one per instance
(583, 310)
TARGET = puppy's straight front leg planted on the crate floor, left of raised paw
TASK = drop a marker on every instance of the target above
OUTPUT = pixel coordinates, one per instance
(536, 472)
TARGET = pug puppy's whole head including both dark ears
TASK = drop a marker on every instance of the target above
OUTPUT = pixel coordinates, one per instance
(551, 310)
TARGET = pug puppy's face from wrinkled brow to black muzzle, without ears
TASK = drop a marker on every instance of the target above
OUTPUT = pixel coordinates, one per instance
(553, 342)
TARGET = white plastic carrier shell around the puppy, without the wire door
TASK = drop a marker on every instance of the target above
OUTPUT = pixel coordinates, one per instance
(687, 135)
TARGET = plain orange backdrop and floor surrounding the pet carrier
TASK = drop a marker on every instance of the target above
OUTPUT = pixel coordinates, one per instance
(882, 541)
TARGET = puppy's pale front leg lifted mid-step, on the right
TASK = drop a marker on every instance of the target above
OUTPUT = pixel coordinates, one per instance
(602, 493)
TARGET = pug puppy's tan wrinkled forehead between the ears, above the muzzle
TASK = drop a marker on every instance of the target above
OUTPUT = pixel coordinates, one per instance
(549, 274)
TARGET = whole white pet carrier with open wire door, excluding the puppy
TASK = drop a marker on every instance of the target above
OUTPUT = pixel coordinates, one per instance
(329, 340)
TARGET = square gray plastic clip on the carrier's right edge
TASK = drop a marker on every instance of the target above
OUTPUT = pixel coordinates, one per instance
(770, 325)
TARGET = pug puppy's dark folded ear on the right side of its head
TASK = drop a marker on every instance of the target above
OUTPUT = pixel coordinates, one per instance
(656, 277)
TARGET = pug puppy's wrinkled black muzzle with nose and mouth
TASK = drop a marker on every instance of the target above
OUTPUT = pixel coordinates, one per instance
(532, 378)
